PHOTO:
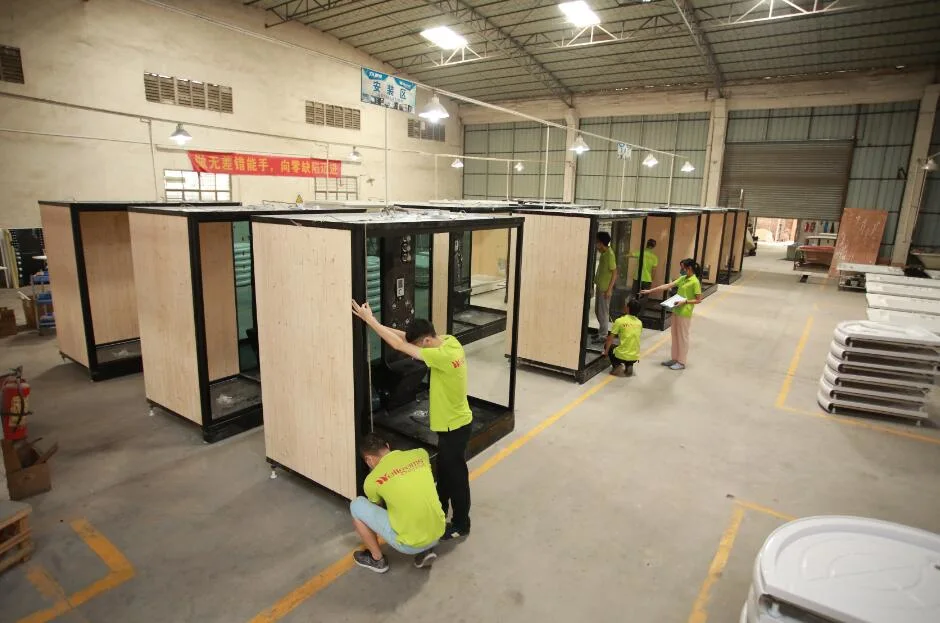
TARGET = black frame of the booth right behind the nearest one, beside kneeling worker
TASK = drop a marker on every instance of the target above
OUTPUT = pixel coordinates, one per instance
(585, 370)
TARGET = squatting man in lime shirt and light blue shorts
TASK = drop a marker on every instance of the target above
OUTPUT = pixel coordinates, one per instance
(411, 521)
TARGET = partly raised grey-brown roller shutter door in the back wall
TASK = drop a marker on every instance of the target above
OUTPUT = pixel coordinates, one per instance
(788, 180)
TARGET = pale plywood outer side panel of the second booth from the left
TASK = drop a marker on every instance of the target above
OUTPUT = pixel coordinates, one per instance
(160, 249)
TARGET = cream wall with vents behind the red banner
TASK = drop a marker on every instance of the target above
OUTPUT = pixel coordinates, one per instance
(94, 54)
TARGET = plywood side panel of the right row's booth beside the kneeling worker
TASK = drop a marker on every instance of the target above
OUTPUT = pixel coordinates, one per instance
(551, 296)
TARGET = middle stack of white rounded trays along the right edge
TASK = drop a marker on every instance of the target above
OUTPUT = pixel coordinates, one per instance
(880, 368)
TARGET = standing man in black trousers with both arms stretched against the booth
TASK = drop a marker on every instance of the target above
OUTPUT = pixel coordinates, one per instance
(449, 409)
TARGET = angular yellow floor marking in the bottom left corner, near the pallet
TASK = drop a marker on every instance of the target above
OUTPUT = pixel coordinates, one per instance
(120, 571)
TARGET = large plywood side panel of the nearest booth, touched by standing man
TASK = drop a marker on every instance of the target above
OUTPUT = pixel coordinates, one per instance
(303, 288)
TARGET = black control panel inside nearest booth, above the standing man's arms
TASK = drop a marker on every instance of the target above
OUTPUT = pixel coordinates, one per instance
(398, 281)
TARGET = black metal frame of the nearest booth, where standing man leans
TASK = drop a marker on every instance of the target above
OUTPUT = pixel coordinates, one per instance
(362, 389)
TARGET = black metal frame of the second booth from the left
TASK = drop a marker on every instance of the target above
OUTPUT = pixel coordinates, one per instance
(248, 417)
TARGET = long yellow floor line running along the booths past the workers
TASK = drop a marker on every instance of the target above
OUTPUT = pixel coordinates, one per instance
(317, 583)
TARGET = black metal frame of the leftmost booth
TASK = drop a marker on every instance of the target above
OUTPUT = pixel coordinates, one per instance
(101, 371)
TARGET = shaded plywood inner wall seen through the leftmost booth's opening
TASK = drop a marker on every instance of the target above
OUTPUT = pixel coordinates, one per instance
(106, 242)
